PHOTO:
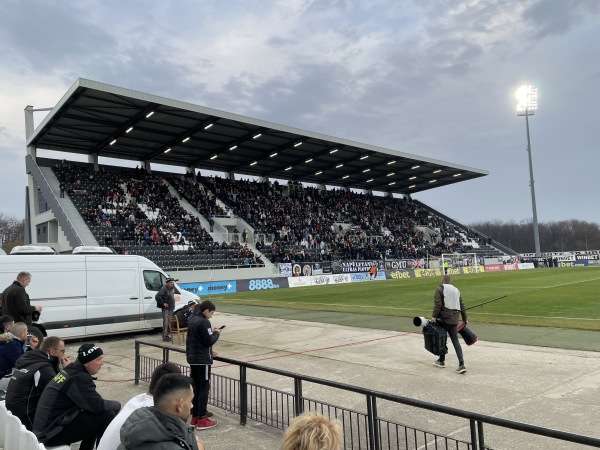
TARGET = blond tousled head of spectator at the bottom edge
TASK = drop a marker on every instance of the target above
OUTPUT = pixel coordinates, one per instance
(311, 431)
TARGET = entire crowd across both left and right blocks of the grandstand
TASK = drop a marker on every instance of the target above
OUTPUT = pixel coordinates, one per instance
(298, 223)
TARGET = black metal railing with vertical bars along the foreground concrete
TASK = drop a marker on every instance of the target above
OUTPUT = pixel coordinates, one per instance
(362, 429)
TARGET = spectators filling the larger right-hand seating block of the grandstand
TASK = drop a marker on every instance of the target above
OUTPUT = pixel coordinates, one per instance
(304, 222)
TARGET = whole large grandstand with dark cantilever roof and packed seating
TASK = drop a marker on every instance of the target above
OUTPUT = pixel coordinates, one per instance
(254, 194)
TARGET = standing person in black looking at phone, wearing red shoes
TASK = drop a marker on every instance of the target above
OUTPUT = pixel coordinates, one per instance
(200, 339)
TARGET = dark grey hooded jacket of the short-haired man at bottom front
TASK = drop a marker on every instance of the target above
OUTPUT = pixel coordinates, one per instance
(151, 429)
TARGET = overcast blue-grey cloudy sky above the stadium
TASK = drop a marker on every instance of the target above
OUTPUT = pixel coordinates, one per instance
(431, 77)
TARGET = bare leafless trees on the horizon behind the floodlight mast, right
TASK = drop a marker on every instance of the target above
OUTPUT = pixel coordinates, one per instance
(561, 236)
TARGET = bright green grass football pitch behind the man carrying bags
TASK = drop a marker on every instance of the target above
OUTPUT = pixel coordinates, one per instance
(552, 297)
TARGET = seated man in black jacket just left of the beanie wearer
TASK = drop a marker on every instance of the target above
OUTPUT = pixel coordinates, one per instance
(33, 371)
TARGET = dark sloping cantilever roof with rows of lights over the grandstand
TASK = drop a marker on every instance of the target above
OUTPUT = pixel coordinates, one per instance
(97, 118)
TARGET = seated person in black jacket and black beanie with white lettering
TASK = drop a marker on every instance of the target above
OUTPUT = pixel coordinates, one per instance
(70, 408)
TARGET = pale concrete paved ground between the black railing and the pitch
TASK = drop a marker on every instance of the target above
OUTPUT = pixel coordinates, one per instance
(552, 387)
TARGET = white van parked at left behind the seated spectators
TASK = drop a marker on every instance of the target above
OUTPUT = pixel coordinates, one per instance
(92, 295)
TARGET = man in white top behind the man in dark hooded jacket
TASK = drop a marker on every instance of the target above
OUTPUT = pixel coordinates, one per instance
(111, 437)
